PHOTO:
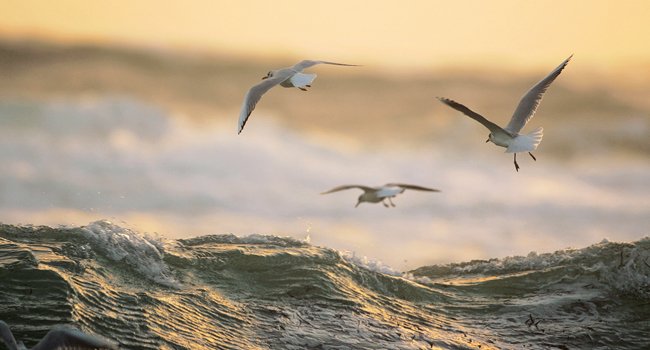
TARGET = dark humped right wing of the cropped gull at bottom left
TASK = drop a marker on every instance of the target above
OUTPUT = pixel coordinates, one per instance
(64, 338)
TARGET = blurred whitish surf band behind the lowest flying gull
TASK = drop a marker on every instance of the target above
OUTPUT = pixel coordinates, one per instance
(72, 161)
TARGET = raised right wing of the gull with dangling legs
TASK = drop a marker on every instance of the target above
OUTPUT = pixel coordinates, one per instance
(529, 102)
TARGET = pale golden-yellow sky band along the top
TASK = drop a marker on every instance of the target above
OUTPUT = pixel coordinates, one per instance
(420, 34)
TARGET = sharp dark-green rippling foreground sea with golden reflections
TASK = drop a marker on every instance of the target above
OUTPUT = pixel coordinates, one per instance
(269, 292)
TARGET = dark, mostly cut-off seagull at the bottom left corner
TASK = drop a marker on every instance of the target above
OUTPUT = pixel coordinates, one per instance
(59, 338)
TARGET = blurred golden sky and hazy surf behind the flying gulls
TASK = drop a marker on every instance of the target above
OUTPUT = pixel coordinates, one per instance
(127, 111)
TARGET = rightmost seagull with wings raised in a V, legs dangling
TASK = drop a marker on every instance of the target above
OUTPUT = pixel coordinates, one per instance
(509, 137)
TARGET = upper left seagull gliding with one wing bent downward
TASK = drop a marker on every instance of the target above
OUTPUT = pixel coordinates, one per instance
(286, 77)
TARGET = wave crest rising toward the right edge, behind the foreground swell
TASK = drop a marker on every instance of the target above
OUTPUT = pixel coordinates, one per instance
(619, 267)
